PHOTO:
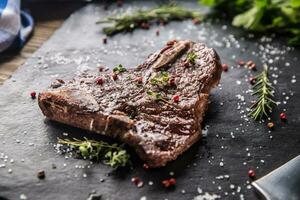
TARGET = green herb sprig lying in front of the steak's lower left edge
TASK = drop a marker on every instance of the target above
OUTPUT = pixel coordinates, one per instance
(113, 155)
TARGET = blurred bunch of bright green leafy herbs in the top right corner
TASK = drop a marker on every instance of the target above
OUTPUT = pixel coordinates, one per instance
(280, 16)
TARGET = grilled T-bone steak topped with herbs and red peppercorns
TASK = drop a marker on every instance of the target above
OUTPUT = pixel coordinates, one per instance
(156, 107)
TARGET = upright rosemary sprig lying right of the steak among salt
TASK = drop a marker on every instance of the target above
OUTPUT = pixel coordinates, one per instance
(265, 92)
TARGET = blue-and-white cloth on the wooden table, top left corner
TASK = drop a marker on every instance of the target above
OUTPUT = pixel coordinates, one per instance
(15, 25)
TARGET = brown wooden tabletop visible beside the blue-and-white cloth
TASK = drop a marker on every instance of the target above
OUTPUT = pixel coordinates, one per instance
(48, 17)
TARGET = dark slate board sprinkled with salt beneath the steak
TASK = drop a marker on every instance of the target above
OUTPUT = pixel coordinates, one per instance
(27, 138)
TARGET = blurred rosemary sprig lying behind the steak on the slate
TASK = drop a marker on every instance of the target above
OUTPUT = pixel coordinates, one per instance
(129, 22)
